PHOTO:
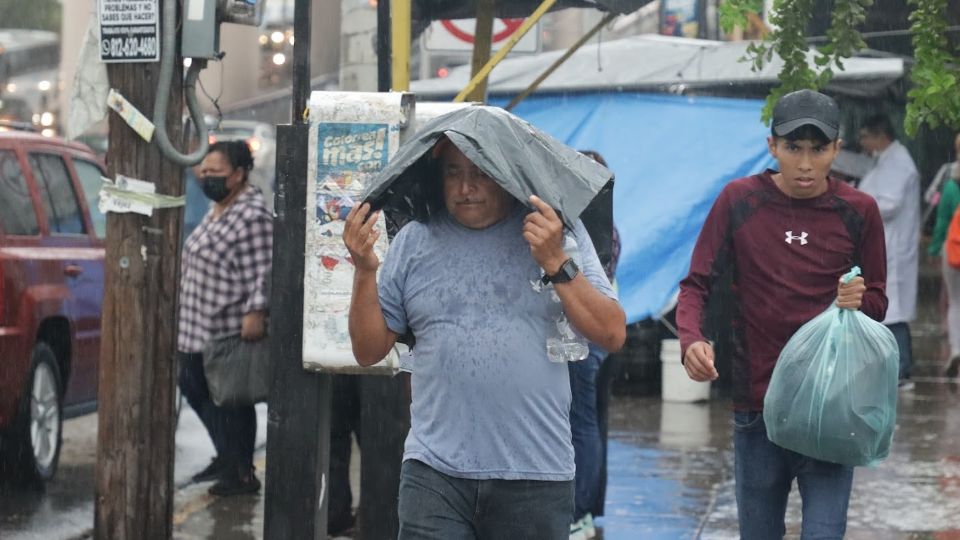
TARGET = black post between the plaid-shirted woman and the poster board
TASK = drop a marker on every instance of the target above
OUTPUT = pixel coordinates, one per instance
(298, 422)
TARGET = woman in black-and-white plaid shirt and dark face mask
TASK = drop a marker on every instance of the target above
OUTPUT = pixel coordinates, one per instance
(224, 291)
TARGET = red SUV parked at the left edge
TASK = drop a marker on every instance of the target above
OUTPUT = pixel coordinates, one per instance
(51, 291)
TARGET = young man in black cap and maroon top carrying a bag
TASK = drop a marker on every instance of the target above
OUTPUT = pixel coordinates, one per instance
(788, 236)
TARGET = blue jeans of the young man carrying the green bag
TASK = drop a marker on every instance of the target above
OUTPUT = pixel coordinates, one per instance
(764, 473)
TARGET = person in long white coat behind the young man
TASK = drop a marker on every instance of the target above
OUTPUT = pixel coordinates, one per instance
(895, 184)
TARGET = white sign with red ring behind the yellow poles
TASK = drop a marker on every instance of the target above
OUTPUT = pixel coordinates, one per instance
(458, 35)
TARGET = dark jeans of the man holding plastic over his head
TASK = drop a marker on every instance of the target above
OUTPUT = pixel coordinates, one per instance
(436, 506)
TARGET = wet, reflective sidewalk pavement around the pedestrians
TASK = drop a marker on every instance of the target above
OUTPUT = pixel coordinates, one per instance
(671, 477)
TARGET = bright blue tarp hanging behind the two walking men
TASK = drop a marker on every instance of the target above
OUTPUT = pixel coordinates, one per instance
(671, 156)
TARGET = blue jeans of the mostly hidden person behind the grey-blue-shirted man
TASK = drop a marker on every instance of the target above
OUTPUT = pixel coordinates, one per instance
(585, 428)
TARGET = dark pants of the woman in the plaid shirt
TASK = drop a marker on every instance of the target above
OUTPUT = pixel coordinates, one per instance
(232, 429)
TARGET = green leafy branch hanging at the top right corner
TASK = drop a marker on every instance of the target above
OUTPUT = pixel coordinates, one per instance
(934, 99)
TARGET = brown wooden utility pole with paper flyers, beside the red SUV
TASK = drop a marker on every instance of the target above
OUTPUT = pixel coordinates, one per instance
(135, 446)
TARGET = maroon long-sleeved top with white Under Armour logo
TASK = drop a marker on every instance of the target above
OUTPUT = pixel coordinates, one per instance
(787, 256)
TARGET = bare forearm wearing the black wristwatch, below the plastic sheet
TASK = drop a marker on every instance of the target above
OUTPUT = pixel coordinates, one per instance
(597, 317)
